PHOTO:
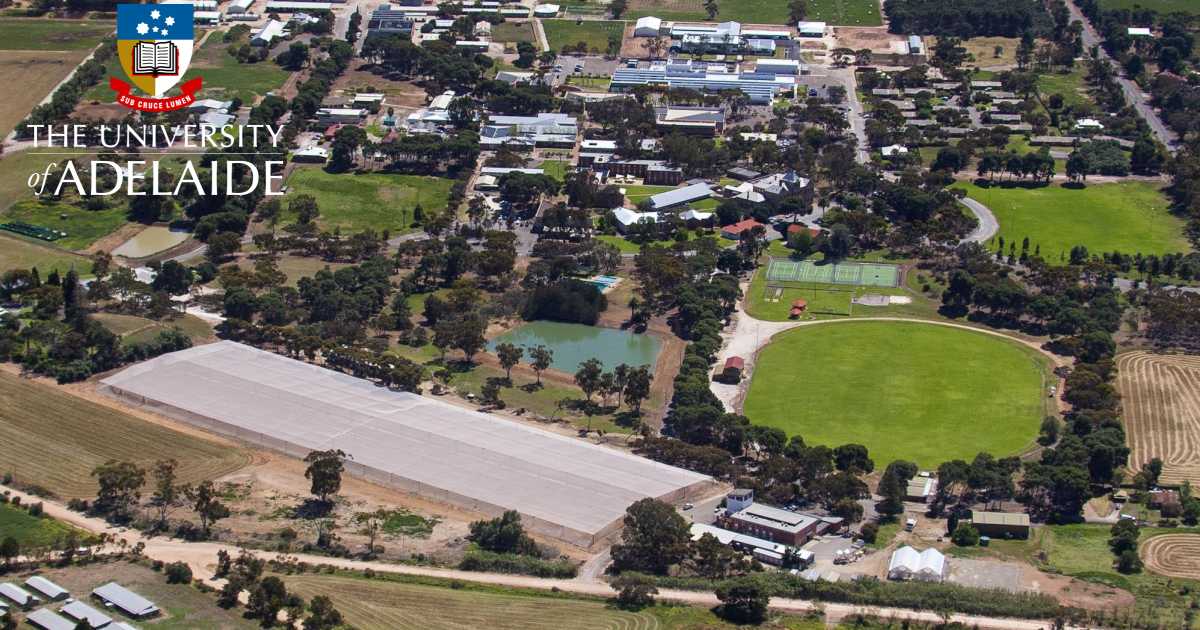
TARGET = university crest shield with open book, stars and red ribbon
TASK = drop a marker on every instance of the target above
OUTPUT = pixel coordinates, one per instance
(154, 45)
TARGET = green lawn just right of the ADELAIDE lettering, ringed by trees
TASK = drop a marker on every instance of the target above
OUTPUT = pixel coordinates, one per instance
(373, 201)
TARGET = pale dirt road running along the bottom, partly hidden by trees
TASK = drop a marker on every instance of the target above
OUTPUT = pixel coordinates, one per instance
(202, 559)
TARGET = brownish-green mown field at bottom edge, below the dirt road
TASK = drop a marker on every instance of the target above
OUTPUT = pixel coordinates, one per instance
(379, 605)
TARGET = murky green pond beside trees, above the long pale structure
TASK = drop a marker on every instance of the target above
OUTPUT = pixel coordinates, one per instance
(575, 344)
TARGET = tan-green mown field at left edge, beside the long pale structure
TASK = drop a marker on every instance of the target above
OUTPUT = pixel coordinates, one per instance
(56, 440)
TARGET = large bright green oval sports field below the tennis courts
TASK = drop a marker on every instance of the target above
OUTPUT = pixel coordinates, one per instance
(904, 391)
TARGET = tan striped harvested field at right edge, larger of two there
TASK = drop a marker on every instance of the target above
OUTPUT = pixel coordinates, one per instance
(1161, 403)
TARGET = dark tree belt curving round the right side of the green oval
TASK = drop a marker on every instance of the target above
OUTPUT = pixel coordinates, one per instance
(1077, 305)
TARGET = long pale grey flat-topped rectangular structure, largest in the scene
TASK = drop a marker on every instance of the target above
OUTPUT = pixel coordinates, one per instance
(563, 488)
